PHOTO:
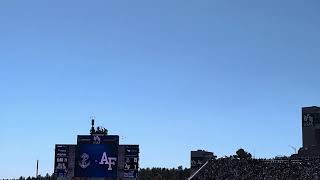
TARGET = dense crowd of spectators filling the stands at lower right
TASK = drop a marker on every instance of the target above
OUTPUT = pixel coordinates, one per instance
(230, 168)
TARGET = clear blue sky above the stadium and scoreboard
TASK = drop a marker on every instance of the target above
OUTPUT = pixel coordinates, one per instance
(171, 76)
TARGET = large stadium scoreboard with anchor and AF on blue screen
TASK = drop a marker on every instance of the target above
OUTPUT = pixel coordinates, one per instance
(96, 156)
